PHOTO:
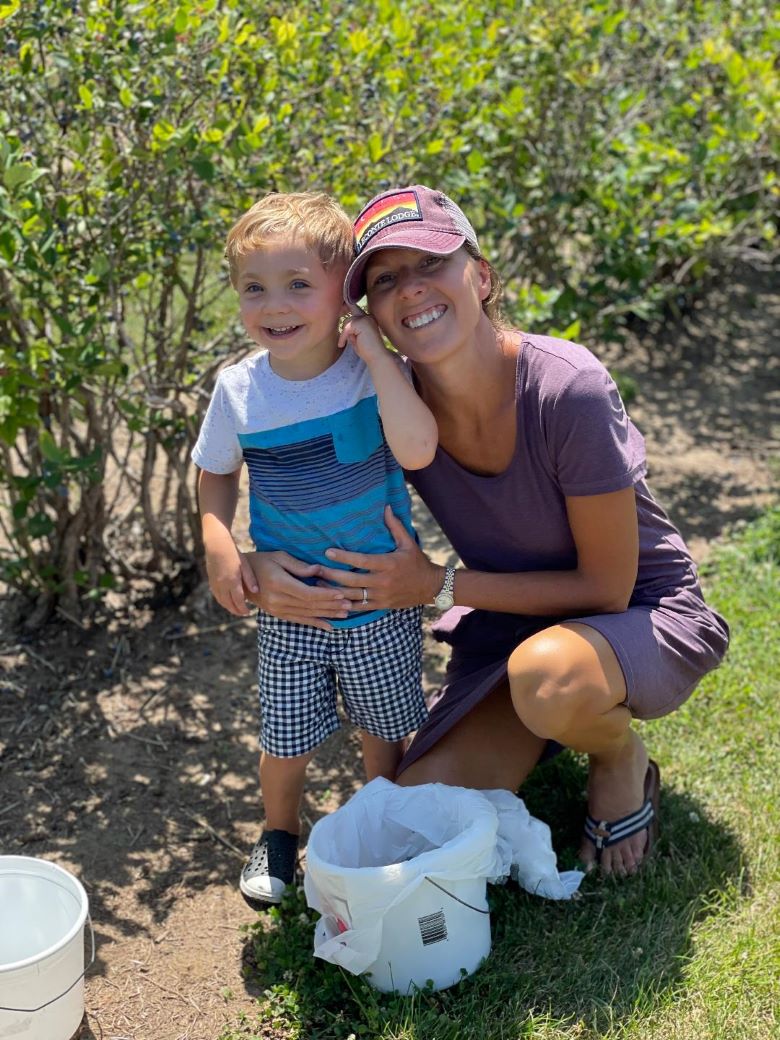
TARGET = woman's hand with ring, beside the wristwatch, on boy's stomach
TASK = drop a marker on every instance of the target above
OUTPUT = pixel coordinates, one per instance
(393, 581)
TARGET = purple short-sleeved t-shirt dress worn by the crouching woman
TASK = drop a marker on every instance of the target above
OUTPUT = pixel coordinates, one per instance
(574, 438)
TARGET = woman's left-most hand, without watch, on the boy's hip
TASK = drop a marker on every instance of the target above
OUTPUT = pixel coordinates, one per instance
(282, 594)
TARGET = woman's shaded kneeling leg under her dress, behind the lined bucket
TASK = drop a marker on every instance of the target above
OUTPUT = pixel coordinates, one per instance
(489, 748)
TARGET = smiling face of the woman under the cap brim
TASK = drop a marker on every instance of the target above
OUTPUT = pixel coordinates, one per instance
(426, 304)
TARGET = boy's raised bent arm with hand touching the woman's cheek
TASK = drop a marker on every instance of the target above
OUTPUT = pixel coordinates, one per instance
(410, 427)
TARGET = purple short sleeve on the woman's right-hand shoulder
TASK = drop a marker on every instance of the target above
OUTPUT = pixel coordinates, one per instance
(594, 447)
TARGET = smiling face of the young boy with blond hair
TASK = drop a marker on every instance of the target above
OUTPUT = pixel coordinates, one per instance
(291, 305)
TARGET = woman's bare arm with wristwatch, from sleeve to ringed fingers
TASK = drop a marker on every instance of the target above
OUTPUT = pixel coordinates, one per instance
(606, 533)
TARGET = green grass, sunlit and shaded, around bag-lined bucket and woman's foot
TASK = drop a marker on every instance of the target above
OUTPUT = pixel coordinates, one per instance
(689, 949)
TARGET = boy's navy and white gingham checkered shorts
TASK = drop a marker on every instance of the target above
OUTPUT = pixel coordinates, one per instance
(377, 667)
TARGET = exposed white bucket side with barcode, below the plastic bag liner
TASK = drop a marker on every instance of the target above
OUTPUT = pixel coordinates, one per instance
(439, 933)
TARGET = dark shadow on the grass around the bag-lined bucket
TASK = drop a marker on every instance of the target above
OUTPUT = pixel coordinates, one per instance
(629, 941)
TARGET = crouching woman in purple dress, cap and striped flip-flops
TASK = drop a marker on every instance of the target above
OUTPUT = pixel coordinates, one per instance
(579, 607)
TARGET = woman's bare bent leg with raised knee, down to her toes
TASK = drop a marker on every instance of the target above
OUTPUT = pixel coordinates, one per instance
(567, 686)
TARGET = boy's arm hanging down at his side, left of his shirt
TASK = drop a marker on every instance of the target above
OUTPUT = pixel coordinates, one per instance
(228, 570)
